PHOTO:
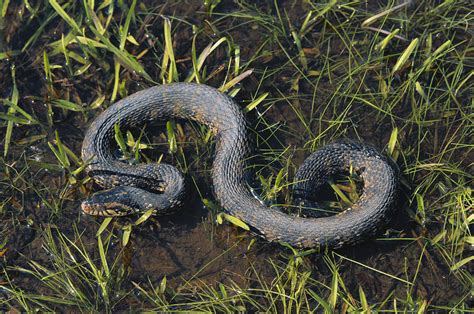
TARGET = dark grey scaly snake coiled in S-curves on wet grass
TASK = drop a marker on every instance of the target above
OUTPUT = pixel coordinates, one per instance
(137, 188)
